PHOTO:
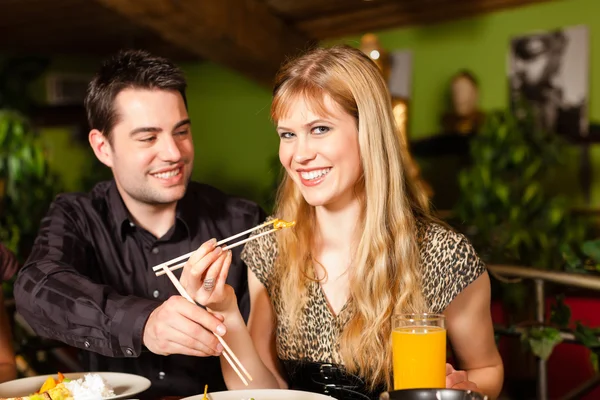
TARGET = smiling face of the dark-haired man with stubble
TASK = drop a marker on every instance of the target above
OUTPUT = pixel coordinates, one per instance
(152, 153)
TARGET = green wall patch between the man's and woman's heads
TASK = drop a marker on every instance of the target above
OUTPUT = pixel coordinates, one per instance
(236, 144)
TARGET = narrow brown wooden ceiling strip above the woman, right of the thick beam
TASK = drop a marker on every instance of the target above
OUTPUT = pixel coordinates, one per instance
(402, 14)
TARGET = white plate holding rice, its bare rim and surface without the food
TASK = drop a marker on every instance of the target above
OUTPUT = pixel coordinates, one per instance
(124, 385)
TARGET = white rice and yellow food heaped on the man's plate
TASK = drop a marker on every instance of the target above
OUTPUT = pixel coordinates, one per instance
(90, 386)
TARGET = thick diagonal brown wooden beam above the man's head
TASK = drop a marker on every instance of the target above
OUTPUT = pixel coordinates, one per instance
(240, 34)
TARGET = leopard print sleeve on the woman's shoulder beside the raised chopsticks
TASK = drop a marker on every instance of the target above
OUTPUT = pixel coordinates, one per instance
(260, 254)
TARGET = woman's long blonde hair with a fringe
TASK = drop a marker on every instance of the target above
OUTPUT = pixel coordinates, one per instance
(384, 277)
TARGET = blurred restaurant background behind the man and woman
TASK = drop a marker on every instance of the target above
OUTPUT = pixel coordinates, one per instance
(498, 104)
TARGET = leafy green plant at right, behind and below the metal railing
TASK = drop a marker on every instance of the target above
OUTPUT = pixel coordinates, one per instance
(511, 218)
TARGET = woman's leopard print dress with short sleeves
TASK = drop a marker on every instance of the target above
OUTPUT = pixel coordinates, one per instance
(449, 265)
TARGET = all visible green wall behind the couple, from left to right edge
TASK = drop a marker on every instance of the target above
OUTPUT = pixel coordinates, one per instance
(236, 144)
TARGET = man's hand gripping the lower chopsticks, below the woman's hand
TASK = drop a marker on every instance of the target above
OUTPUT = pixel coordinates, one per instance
(180, 327)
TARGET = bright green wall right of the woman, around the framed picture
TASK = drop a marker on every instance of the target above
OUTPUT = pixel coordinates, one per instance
(481, 44)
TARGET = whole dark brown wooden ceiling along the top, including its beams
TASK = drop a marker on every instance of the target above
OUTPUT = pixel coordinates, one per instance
(252, 37)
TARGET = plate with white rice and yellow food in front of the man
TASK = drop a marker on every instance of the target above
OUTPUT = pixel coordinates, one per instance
(75, 386)
